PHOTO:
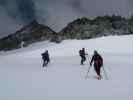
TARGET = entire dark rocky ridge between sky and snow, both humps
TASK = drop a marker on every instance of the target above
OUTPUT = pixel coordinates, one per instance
(82, 28)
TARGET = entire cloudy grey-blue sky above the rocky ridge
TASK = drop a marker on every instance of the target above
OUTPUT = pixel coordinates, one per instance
(56, 13)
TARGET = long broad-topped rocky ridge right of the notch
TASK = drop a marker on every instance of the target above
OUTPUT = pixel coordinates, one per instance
(85, 28)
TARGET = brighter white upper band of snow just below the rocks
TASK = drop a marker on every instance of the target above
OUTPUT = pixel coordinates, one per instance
(109, 44)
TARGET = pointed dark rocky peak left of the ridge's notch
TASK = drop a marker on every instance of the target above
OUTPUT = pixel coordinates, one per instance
(33, 32)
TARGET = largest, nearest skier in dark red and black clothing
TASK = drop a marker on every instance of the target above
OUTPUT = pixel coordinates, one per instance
(98, 63)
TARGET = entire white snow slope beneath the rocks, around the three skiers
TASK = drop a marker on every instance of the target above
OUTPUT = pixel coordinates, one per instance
(22, 77)
